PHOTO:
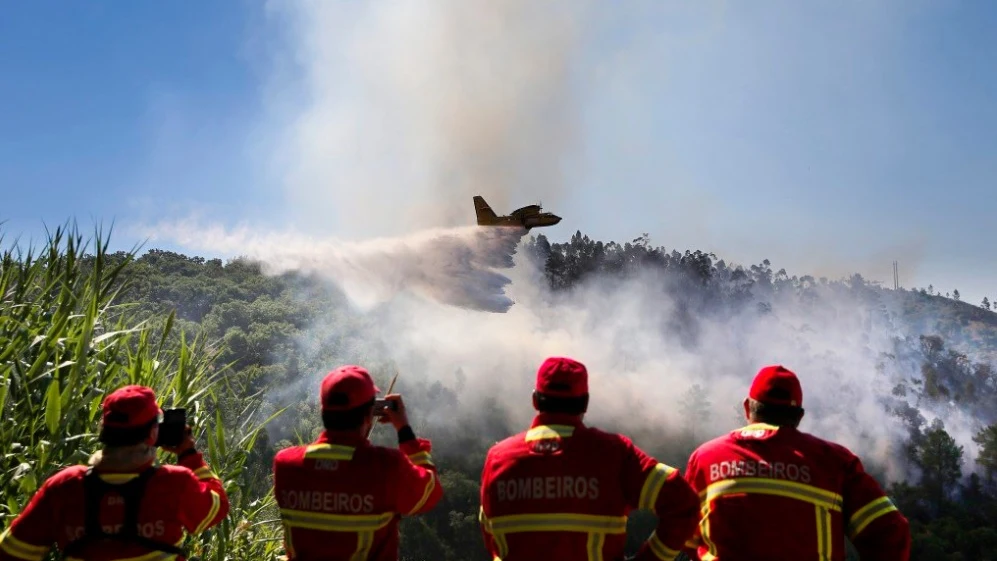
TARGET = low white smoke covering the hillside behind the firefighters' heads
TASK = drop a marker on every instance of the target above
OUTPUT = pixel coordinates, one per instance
(640, 371)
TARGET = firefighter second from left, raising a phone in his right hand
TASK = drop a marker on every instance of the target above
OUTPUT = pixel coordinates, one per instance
(341, 497)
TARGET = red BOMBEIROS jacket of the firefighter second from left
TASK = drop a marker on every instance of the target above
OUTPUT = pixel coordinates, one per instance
(341, 498)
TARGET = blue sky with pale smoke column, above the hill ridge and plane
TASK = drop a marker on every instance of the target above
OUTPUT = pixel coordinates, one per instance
(826, 139)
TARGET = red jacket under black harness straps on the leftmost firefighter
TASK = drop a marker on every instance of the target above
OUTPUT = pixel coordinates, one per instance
(187, 497)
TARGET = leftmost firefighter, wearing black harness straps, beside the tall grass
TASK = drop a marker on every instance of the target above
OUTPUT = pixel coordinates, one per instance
(122, 507)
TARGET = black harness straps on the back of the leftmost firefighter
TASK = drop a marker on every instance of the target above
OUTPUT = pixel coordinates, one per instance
(132, 492)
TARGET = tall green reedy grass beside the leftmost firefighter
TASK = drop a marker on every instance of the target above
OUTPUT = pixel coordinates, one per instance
(65, 342)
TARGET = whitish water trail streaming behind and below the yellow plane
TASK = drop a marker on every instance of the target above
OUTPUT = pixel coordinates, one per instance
(451, 266)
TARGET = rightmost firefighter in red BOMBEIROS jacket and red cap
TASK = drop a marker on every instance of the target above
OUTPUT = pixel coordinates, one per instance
(769, 491)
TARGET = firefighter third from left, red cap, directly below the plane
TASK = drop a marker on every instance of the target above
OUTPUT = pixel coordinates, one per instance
(562, 490)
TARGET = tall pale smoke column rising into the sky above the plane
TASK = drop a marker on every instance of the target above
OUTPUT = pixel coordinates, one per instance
(411, 108)
